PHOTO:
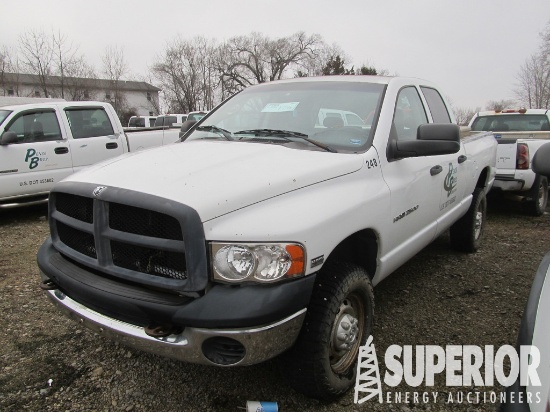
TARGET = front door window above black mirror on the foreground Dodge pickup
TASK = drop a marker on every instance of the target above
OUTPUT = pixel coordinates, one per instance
(409, 114)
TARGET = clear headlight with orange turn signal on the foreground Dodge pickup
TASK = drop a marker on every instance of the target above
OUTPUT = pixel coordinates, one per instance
(257, 262)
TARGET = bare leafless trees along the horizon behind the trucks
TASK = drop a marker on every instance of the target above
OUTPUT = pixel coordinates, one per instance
(198, 73)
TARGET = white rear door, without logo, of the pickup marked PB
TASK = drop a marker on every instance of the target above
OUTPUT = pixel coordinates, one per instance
(94, 136)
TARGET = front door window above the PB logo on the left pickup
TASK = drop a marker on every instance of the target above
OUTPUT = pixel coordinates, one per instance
(31, 127)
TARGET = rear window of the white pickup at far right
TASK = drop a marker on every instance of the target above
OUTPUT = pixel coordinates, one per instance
(512, 122)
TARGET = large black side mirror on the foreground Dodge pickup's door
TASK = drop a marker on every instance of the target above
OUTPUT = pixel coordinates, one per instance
(431, 140)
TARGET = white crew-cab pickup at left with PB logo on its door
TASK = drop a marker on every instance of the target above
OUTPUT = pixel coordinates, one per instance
(42, 143)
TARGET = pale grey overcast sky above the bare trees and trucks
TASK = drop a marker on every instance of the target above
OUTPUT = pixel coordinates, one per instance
(472, 49)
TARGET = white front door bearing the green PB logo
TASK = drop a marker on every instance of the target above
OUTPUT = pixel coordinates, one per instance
(38, 159)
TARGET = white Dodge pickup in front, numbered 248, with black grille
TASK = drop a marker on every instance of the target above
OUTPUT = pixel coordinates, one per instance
(263, 232)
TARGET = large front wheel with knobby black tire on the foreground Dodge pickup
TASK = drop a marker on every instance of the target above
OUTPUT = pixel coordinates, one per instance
(322, 365)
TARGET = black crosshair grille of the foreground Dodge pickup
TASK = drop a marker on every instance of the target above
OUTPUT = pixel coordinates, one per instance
(134, 243)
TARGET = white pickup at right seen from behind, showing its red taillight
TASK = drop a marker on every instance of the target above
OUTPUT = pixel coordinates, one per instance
(519, 134)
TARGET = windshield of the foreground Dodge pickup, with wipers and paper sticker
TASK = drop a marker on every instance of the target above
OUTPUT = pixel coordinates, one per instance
(335, 114)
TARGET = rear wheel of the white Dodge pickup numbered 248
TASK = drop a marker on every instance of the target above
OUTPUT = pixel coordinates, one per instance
(467, 232)
